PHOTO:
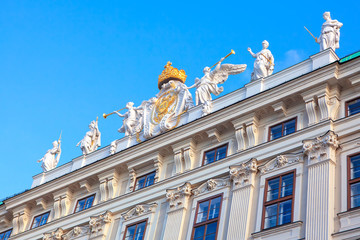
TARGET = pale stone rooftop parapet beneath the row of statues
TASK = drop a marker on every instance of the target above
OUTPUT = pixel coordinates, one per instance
(314, 62)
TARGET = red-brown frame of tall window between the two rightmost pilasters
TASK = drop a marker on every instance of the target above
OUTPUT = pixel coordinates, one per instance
(279, 200)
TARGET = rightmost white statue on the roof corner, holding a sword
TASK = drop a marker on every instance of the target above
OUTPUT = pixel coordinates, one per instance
(330, 33)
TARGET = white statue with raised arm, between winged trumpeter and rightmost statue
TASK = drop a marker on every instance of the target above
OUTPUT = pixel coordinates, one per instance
(264, 63)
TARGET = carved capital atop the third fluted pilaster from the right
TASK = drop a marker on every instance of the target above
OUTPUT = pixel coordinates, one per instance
(177, 196)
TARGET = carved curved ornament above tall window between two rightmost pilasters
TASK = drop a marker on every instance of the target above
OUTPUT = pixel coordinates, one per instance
(280, 161)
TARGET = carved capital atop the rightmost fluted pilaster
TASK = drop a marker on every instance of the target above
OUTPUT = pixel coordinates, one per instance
(321, 148)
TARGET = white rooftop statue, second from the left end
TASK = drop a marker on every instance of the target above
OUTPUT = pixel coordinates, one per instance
(92, 139)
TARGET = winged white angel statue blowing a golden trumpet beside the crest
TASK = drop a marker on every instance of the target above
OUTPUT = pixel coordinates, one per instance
(208, 84)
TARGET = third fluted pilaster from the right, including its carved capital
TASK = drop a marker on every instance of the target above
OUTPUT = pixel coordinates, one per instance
(177, 214)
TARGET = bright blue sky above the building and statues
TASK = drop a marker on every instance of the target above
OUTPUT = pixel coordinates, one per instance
(62, 63)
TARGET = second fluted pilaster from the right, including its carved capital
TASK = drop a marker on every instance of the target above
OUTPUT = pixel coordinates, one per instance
(243, 177)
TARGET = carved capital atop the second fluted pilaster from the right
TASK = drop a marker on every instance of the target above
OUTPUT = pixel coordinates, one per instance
(243, 174)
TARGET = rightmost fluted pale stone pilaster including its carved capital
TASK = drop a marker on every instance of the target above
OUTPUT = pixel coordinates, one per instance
(321, 157)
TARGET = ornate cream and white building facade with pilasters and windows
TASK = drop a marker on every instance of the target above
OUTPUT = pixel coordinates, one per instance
(276, 159)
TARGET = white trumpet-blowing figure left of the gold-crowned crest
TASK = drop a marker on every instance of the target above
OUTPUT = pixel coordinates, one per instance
(133, 119)
